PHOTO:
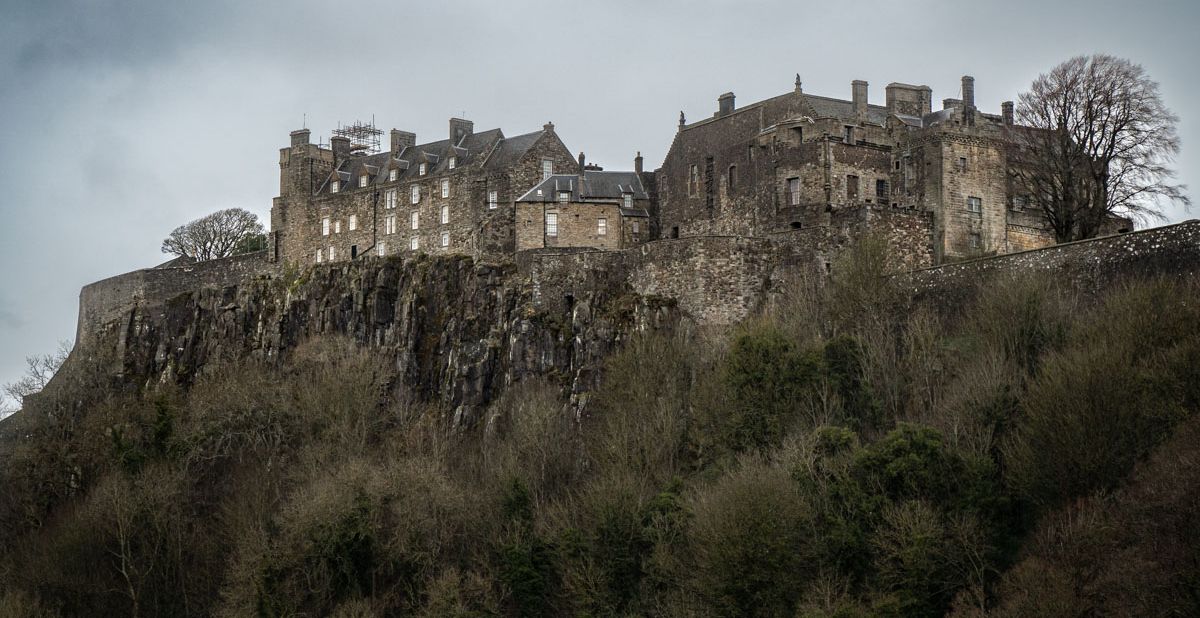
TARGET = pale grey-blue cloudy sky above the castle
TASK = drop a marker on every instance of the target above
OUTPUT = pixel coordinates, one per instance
(122, 119)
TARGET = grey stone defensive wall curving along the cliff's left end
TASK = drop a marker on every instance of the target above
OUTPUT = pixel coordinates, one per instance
(109, 299)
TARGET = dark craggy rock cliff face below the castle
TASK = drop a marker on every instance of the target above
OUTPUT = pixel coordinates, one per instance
(458, 332)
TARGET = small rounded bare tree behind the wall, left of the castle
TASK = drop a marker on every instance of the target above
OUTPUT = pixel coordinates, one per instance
(218, 236)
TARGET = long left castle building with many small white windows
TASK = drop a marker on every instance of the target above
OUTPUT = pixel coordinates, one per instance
(452, 196)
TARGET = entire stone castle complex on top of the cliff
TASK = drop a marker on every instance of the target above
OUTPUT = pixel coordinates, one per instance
(791, 163)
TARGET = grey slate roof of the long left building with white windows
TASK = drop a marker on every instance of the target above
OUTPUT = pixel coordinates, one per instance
(490, 147)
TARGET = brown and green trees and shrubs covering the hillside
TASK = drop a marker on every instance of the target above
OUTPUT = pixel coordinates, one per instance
(851, 452)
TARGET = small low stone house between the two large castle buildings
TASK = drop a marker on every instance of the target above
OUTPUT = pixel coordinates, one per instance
(609, 211)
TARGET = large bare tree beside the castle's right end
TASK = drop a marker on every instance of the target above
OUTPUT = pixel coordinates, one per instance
(1094, 142)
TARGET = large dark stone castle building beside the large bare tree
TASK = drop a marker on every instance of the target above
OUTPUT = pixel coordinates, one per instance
(797, 160)
